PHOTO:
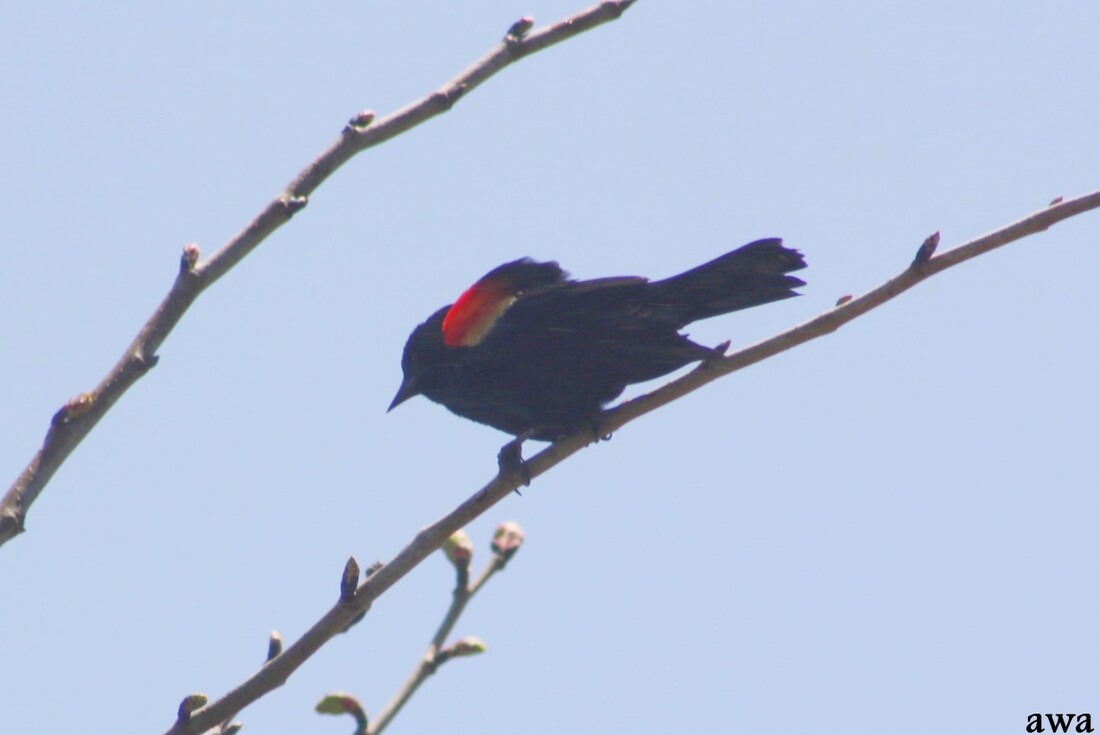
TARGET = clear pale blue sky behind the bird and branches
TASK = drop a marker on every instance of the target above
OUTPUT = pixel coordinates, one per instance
(890, 530)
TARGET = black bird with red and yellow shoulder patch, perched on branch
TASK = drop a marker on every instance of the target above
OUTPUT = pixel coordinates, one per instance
(534, 354)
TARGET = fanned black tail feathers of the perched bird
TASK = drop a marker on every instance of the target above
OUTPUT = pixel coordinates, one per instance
(751, 276)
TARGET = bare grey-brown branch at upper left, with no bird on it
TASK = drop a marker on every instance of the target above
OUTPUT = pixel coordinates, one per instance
(80, 416)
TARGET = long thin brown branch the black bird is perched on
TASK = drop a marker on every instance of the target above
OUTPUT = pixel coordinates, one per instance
(431, 539)
